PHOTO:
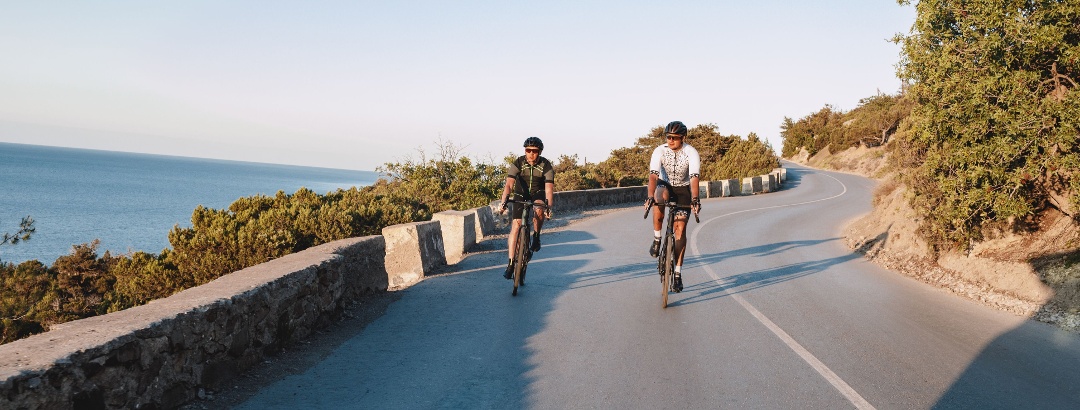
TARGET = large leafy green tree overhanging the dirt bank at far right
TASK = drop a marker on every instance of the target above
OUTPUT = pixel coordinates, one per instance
(997, 115)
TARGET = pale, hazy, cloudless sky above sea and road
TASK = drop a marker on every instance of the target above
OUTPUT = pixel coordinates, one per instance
(355, 85)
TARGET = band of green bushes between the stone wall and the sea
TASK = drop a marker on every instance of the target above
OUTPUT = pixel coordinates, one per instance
(258, 229)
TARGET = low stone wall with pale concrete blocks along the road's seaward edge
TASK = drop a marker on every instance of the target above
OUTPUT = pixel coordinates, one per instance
(163, 354)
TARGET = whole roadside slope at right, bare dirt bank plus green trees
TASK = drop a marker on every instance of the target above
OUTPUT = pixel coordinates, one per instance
(979, 157)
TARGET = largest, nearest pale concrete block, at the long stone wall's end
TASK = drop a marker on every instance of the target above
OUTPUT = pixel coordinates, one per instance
(413, 251)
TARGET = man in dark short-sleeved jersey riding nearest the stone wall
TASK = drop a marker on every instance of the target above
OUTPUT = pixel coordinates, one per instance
(537, 182)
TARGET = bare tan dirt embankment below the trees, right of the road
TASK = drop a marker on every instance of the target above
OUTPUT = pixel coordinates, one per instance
(1035, 276)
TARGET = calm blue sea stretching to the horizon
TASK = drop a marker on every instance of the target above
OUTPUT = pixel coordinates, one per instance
(130, 201)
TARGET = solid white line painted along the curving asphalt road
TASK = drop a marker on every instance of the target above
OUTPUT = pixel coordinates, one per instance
(820, 367)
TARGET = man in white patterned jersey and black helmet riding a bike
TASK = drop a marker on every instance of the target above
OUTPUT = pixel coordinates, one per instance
(678, 166)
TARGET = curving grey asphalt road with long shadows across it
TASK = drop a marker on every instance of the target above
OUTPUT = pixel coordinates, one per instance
(777, 313)
